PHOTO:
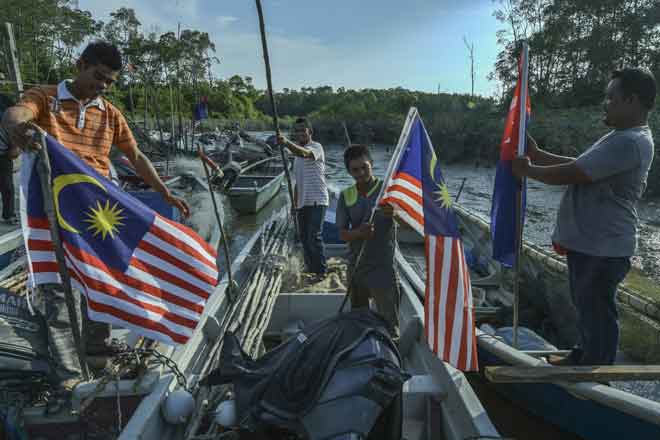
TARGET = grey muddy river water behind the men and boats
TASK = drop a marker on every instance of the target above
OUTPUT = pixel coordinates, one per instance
(542, 203)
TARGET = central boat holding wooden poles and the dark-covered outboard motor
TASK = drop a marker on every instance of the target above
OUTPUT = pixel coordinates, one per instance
(437, 401)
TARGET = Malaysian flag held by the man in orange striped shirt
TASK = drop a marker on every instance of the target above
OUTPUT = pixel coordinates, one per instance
(136, 268)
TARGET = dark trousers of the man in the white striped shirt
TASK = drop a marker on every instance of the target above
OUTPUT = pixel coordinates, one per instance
(310, 224)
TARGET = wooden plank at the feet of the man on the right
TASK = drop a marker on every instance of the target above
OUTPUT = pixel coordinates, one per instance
(598, 373)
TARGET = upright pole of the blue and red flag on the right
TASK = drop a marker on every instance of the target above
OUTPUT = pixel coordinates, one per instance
(519, 193)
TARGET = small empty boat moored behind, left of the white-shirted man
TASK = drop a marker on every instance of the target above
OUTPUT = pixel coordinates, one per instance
(256, 185)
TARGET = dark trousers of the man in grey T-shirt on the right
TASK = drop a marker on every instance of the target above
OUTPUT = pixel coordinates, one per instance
(593, 282)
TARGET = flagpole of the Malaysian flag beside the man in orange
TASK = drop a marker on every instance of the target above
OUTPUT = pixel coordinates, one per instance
(44, 171)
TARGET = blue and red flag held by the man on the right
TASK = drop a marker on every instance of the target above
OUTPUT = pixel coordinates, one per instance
(503, 208)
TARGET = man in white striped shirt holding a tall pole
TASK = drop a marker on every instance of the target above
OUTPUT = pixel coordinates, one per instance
(311, 193)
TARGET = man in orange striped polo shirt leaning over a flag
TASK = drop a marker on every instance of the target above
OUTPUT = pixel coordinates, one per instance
(76, 114)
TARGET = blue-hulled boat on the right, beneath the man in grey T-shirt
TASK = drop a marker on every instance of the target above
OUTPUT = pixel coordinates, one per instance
(588, 409)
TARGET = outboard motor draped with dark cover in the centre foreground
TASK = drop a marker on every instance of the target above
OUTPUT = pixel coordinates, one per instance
(339, 379)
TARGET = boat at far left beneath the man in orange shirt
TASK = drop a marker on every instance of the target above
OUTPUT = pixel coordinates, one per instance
(29, 407)
